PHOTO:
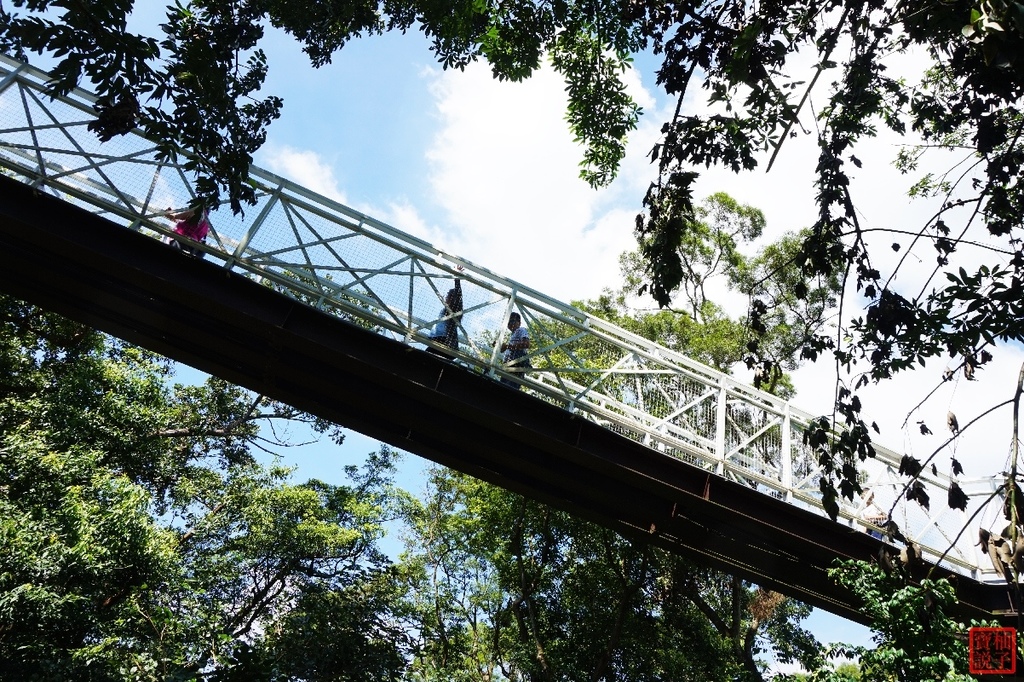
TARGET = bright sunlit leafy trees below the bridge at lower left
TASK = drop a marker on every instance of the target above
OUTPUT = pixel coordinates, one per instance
(142, 540)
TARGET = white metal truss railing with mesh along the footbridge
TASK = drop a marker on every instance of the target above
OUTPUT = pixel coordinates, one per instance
(351, 266)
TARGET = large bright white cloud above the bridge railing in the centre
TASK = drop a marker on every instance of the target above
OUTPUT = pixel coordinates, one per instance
(505, 174)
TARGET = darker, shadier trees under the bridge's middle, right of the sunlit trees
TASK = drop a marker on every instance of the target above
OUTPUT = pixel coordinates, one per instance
(508, 588)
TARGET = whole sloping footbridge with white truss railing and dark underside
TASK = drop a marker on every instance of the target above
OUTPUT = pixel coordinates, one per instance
(319, 306)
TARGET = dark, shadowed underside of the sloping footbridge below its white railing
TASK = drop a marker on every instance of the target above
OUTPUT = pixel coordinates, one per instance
(133, 287)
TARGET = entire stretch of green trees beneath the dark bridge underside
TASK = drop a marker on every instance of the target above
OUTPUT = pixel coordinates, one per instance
(142, 539)
